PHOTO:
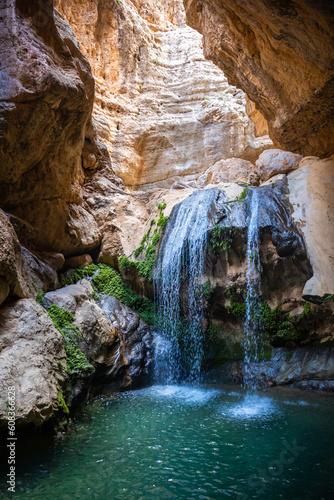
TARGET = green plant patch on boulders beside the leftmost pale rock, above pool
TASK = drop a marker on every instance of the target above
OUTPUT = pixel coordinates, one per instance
(64, 322)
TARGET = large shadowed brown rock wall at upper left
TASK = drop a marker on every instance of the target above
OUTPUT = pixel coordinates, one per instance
(46, 101)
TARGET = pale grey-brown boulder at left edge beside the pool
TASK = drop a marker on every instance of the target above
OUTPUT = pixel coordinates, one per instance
(32, 358)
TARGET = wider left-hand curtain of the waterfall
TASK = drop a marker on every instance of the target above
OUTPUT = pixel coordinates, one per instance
(178, 287)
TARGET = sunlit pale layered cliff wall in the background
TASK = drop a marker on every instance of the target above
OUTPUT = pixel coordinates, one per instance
(163, 111)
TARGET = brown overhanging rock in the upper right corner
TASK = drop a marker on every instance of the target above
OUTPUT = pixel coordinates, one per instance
(280, 54)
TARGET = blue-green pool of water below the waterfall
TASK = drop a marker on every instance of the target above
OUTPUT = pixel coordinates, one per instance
(206, 442)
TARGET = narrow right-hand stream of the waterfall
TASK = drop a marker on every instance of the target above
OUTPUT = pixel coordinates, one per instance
(253, 325)
